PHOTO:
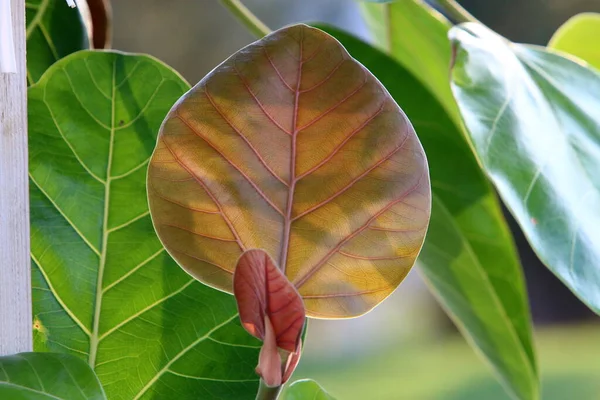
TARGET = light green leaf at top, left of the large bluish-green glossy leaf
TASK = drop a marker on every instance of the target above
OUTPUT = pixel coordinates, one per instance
(416, 35)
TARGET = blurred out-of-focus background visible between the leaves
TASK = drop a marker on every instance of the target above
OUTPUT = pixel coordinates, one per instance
(406, 348)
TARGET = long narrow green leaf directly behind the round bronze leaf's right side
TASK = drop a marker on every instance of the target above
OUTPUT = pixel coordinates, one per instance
(468, 257)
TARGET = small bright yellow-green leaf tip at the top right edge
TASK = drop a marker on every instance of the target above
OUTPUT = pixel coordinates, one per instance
(579, 37)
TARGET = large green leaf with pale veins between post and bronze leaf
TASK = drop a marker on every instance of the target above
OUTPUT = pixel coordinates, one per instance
(104, 288)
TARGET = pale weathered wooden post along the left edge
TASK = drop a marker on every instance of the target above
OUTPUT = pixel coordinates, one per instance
(15, 275)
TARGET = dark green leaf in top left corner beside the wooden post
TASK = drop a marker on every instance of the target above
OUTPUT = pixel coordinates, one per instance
(54, 30)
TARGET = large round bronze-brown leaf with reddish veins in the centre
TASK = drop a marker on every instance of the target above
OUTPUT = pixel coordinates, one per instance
(293, 147)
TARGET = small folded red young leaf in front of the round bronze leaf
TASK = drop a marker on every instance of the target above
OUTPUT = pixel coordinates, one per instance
(261, 290)
